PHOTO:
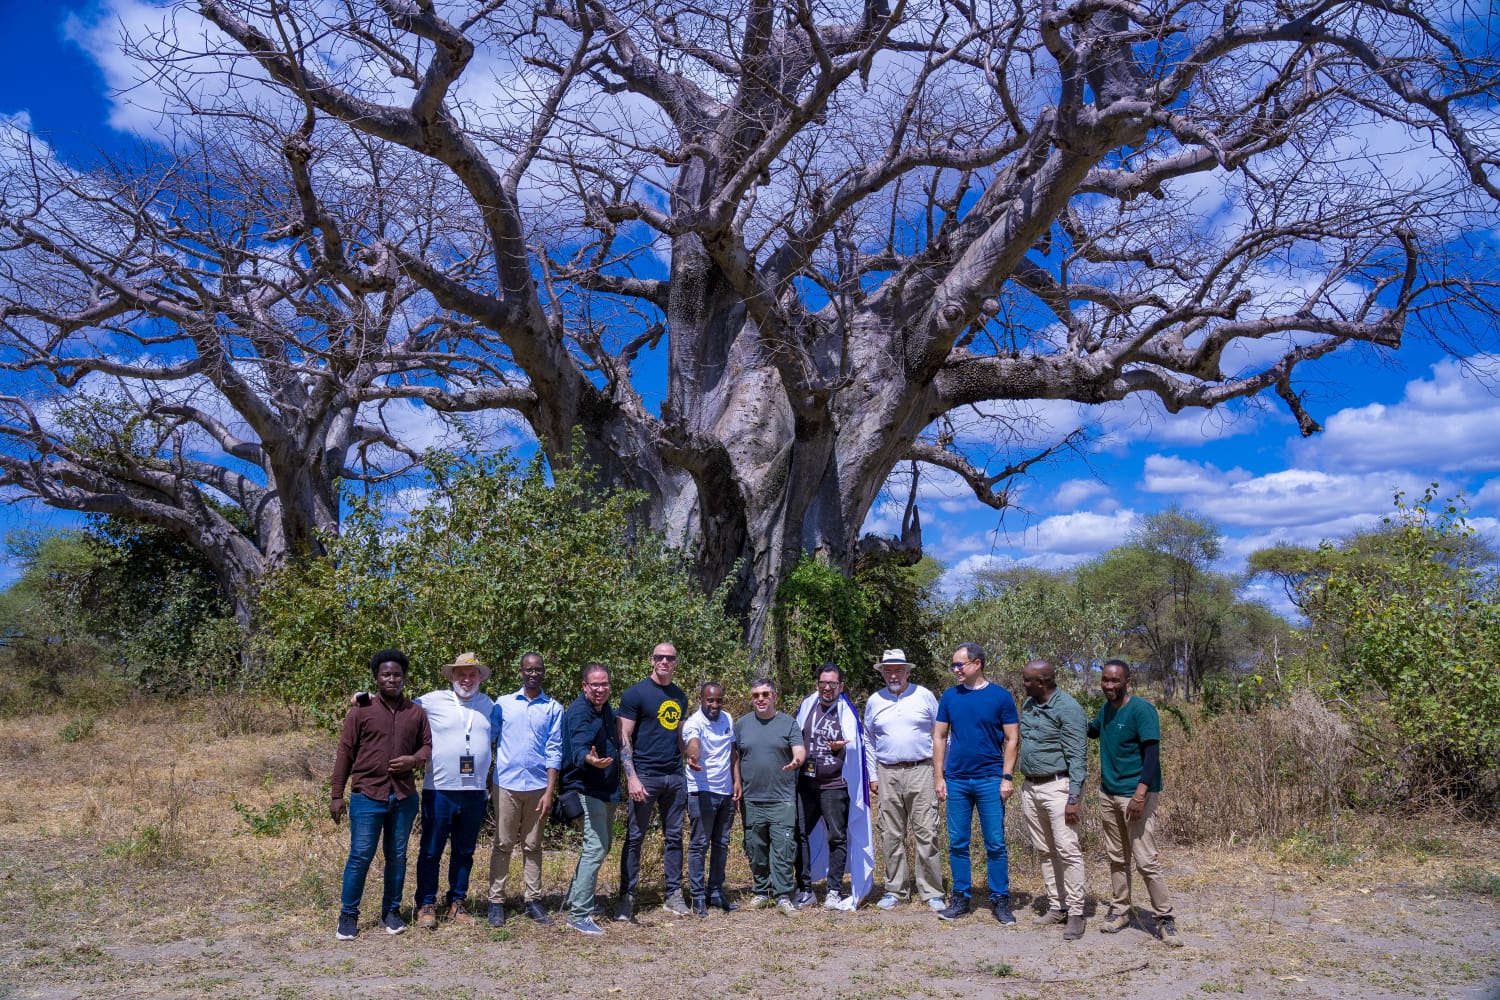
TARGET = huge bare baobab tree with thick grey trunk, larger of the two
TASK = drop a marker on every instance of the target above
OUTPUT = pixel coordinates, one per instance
(847, 227)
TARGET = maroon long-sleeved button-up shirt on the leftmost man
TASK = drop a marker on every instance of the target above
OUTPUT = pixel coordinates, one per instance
(373, 737)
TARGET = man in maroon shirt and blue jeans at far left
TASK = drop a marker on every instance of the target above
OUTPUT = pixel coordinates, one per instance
(382, 746)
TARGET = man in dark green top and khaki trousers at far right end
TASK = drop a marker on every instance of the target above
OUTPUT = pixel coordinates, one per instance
(1130, 783)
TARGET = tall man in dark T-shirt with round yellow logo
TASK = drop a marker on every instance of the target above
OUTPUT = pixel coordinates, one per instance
(652, 755)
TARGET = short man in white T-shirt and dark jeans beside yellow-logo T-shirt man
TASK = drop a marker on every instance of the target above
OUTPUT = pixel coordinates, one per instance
(713, 797)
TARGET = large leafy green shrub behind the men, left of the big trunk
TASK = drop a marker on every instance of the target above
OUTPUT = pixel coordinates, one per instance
(499, 561)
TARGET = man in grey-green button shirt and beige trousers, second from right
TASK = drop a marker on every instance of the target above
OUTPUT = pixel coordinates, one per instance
(1055, 761)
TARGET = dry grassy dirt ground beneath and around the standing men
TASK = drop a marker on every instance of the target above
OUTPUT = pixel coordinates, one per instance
(127, 872)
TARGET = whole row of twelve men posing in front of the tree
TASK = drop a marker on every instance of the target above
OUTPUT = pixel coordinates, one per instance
(803, 786)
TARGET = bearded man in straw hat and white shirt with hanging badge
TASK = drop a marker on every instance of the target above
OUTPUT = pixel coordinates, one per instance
(454, 795)
